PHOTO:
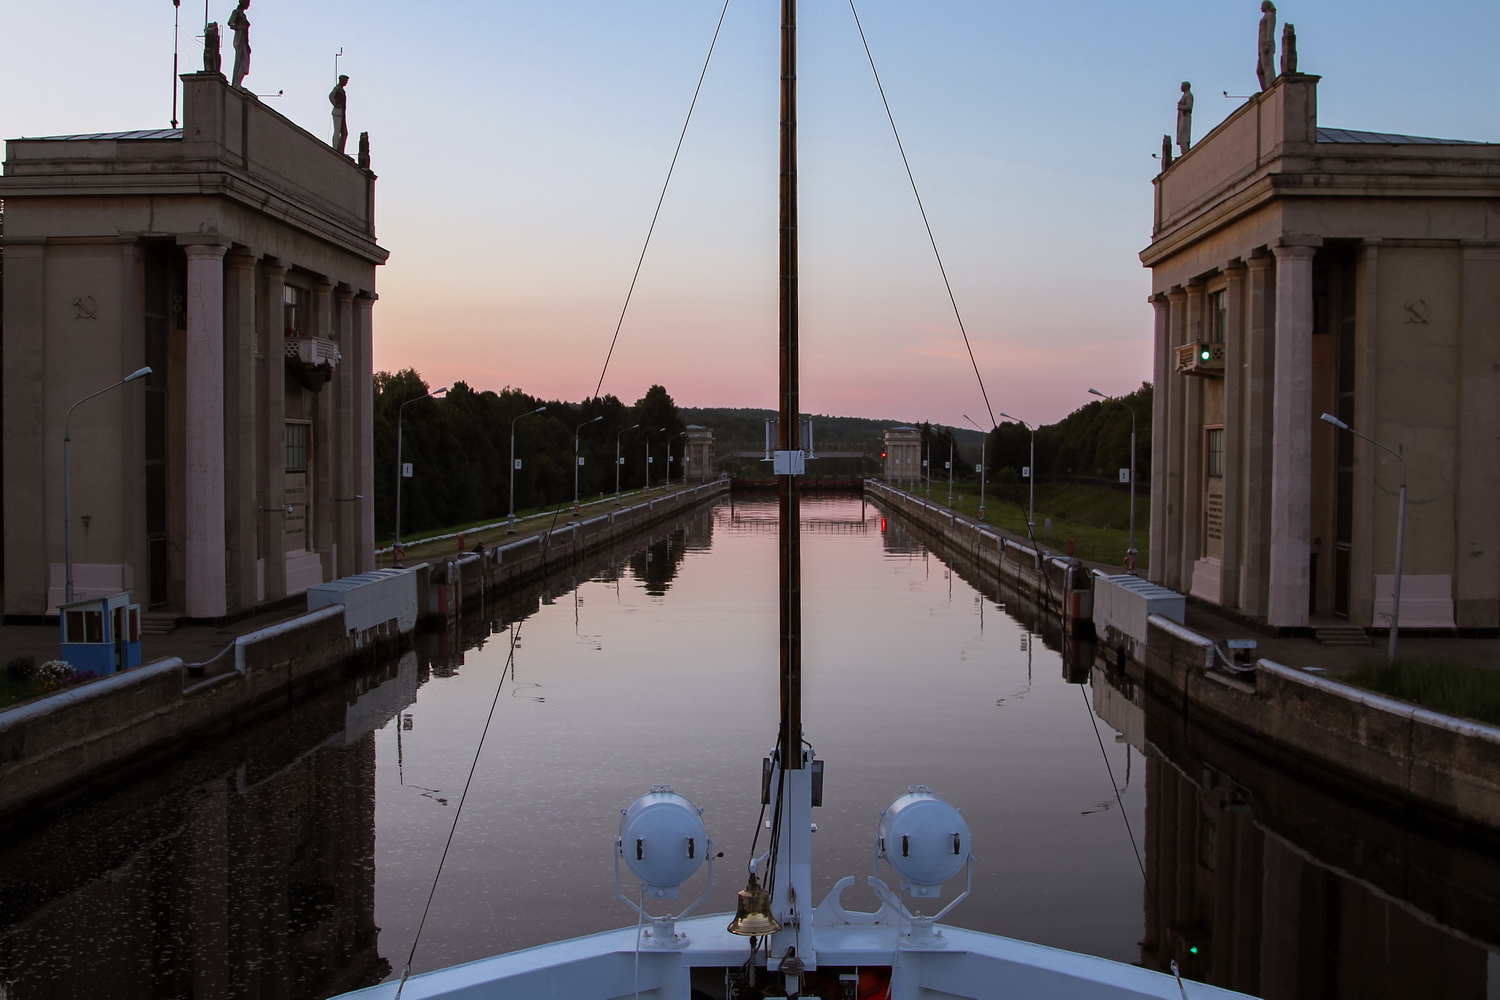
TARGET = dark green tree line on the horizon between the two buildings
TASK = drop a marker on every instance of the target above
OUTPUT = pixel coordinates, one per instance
(458, 446)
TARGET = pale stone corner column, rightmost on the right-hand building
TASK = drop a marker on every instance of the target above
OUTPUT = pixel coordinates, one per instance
(1292, 439)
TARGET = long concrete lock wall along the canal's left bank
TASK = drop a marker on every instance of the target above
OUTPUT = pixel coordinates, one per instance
(62, 746)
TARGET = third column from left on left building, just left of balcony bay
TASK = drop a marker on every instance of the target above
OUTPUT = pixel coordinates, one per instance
(272, 434)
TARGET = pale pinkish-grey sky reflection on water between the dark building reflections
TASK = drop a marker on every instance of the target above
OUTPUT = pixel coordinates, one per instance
(632, 683)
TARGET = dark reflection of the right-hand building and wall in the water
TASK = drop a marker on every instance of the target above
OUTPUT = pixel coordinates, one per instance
(1297, 890)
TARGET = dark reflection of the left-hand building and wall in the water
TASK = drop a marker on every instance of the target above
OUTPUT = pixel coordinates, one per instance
(242, 872)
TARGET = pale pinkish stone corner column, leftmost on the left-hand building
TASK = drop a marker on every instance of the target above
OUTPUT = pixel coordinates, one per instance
(206, 572)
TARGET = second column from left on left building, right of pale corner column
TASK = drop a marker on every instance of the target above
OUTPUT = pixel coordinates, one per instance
(239, 442)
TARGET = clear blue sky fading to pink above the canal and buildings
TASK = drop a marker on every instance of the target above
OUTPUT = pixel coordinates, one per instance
(523, 145)
